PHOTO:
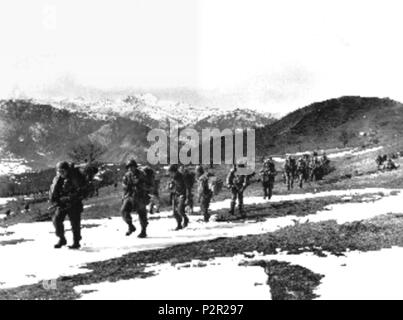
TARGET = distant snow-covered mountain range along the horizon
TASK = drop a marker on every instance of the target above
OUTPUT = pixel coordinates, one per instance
(153, 112)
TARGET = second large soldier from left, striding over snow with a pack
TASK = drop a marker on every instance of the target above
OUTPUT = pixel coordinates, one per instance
(135, 198)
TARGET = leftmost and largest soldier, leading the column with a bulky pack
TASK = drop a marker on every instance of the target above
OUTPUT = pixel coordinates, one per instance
(66, 196)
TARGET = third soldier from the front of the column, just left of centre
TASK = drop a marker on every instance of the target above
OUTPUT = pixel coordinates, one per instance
(178, 192)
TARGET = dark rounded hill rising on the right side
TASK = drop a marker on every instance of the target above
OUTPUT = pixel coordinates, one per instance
(360, 121)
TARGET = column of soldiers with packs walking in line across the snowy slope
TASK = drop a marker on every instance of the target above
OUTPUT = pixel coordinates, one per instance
(141, 188)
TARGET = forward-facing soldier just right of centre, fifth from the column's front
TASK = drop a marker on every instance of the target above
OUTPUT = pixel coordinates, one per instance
(237, 184)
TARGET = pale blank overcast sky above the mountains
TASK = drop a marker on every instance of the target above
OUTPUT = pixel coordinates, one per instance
(269, 55)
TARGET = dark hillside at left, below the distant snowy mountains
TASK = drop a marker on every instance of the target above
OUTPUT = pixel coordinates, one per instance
(42, 134)
